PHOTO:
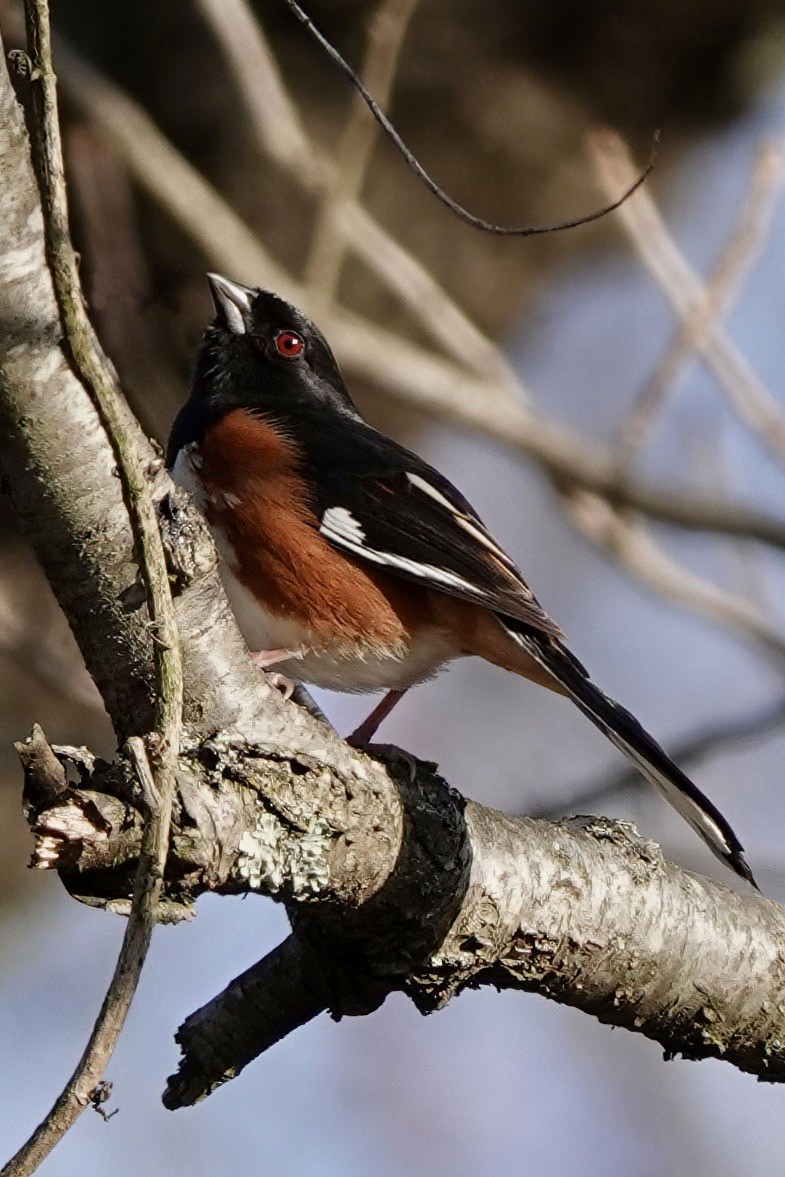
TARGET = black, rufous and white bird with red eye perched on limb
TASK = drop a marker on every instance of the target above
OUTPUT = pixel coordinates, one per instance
(352, 563)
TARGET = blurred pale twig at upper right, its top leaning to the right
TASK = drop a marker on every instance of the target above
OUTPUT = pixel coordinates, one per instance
(722, 292)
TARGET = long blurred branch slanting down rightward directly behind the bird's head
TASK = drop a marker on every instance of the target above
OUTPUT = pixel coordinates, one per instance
(403, 370)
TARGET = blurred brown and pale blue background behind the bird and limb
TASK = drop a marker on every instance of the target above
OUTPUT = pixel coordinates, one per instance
(684, 628)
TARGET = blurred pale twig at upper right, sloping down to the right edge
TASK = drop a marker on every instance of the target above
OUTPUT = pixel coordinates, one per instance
(643, 224)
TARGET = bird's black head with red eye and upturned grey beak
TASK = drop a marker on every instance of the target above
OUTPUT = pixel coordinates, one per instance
(264, 355)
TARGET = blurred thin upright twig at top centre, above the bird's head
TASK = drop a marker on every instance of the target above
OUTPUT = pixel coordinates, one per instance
(385, 39)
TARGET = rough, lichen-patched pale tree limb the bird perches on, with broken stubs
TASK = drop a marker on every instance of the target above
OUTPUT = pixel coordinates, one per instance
(390, 883)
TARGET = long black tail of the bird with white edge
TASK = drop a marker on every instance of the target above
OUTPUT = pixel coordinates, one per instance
(627, 734)
